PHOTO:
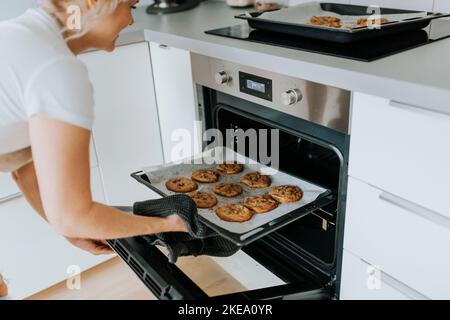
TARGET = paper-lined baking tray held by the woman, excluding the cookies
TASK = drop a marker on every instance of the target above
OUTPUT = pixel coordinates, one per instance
(314, 196)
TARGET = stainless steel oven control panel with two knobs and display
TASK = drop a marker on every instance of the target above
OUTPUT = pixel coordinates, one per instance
(322, 104)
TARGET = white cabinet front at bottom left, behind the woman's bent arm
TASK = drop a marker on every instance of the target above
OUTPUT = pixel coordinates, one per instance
(33, 256)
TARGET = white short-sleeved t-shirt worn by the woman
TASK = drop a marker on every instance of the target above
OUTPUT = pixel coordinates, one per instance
(39, 75)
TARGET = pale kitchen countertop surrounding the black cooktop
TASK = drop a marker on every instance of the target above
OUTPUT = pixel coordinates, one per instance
(420, 77)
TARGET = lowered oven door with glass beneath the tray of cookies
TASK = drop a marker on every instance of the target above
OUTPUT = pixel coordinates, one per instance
(176, 282)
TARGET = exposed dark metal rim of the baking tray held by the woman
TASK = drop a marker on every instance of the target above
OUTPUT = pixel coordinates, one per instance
(240, 240)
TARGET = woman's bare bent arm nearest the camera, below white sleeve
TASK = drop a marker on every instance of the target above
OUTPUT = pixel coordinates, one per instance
(61, 157)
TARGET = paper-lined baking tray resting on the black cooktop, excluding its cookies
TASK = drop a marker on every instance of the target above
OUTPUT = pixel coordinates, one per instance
(295, 21)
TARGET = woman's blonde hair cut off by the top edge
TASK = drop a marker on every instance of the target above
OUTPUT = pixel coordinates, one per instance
(58, 8)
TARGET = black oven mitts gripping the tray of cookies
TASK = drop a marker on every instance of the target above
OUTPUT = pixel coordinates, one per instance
(200, 240)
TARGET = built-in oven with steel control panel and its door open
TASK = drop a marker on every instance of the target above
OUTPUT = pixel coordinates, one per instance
(300, 260)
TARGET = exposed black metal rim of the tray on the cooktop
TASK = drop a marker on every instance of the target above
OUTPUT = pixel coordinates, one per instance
(342, 35)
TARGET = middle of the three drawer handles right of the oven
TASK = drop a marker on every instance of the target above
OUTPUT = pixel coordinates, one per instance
(416, 209)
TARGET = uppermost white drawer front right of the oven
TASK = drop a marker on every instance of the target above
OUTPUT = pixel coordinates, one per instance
(402, 150)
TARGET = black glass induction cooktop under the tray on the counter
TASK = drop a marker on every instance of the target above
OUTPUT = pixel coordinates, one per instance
(367, 51)
